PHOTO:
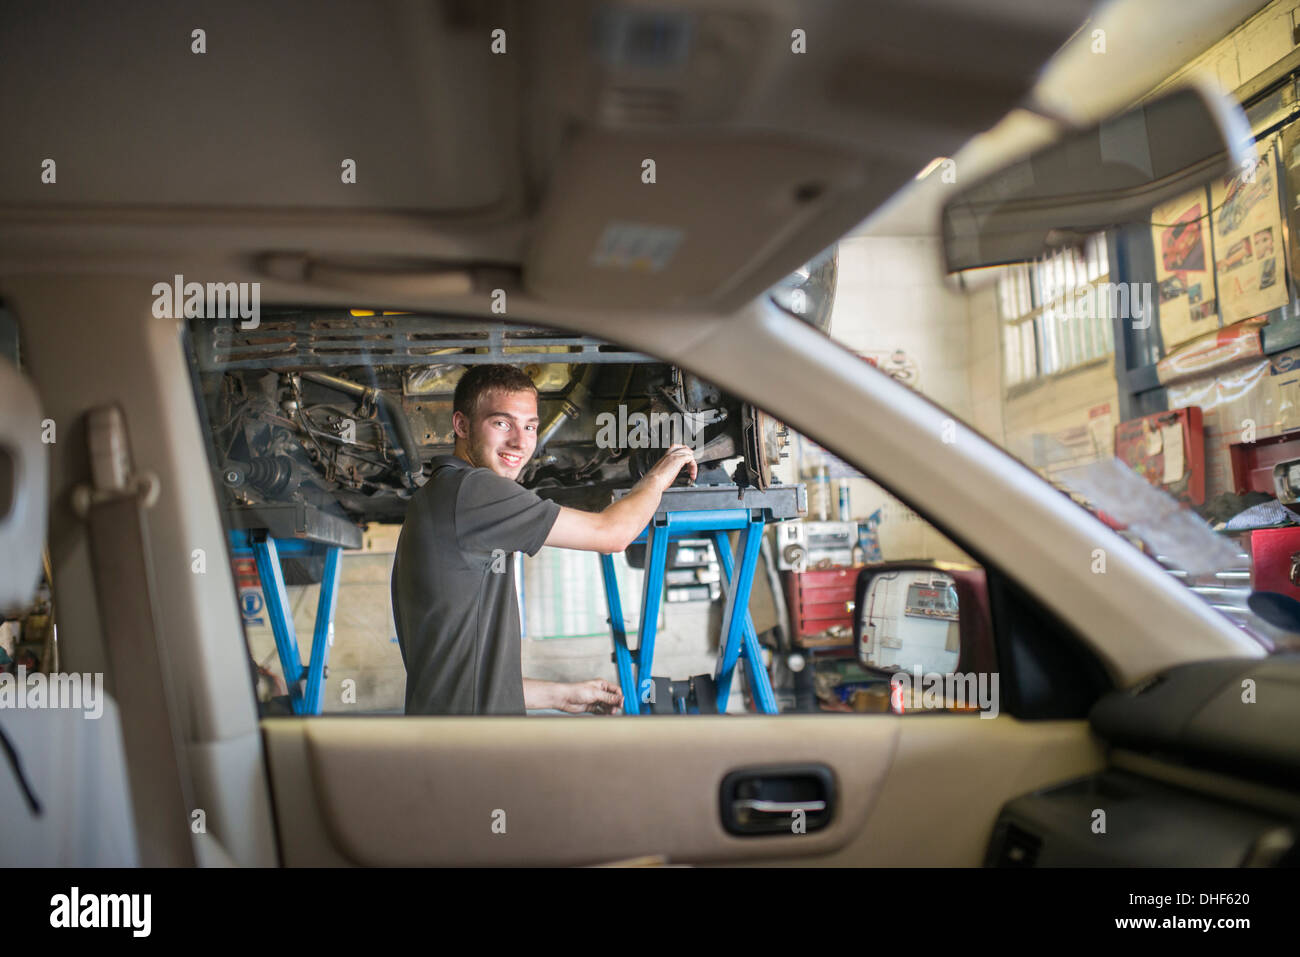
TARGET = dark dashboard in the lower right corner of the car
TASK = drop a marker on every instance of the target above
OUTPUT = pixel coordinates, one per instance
(1203, 772)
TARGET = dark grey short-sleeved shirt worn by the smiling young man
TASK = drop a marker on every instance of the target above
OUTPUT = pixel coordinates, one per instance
(457, 618)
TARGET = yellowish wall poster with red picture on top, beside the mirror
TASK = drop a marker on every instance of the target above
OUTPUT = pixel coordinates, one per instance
(1184, 279)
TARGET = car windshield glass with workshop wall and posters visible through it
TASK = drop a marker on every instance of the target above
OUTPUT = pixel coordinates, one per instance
(1151, 370)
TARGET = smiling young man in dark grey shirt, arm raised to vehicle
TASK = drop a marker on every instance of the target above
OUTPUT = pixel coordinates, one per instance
(454, 596)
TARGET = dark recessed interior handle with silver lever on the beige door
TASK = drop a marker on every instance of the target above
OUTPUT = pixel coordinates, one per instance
(778, 800)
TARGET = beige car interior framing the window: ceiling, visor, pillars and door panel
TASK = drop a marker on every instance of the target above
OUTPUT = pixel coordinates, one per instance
(479, 172)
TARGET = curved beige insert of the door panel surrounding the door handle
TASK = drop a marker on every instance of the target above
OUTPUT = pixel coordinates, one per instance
(418, 791)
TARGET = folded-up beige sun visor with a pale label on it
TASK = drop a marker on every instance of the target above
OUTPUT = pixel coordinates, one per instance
(656, 222)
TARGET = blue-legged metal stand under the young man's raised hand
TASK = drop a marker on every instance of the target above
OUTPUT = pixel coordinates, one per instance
(690, 513)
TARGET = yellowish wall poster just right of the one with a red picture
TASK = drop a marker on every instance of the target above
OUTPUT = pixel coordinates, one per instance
(1249, 256)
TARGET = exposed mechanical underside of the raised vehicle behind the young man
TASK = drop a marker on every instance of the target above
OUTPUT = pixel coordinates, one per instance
(345, 413)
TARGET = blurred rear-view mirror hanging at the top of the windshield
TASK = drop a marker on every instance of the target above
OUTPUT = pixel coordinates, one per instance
(1102, 177)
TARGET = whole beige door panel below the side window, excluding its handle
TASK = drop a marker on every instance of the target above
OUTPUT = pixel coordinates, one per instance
(921, 790)
